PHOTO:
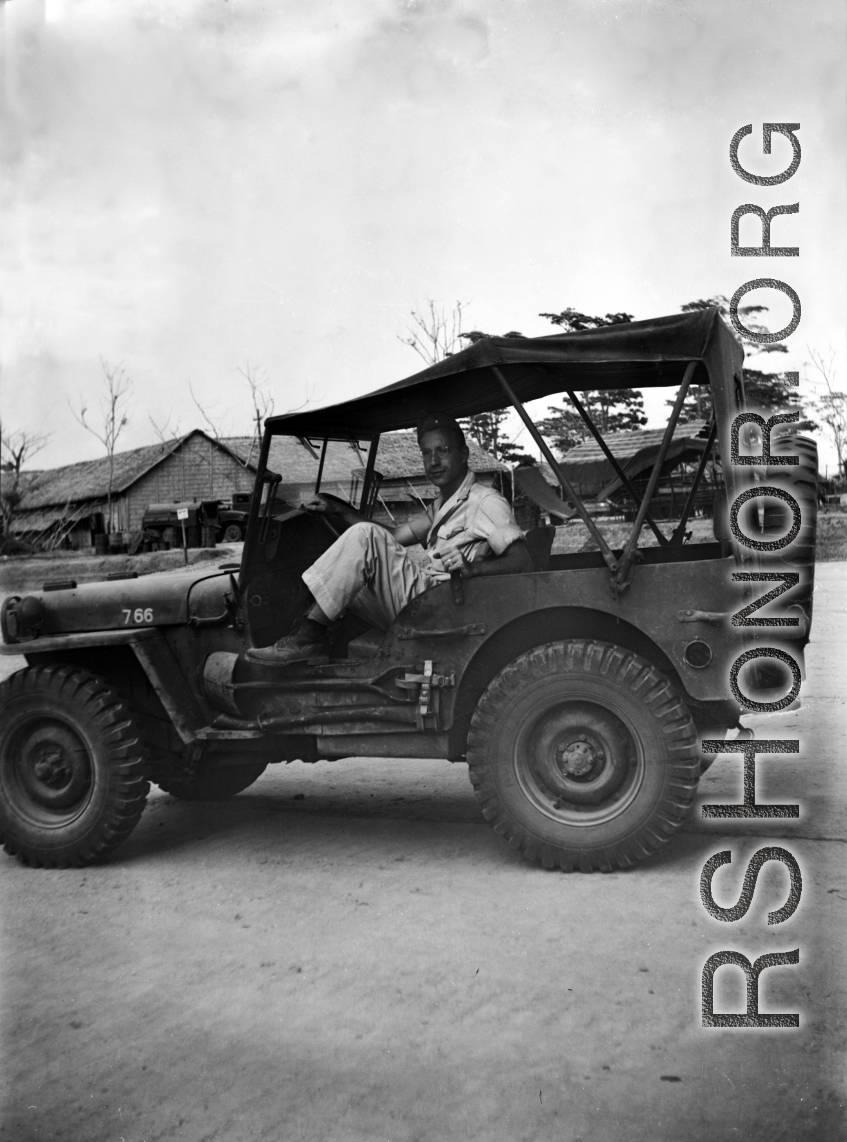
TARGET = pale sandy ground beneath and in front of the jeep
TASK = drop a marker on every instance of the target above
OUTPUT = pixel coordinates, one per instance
(346, 952)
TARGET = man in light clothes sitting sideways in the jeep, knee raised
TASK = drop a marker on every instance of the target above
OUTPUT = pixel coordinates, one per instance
(368, 573)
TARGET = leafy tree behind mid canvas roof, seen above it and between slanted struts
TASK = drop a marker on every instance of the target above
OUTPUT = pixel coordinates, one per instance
(611, 411)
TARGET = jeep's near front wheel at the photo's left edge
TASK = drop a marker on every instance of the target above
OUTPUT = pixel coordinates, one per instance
(72, 768)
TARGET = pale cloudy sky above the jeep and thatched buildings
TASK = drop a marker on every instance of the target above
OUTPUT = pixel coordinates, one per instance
(193, 189)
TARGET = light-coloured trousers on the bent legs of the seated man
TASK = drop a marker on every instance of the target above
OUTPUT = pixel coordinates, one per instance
(366, 572)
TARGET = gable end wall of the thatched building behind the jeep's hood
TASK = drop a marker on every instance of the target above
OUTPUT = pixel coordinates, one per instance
(198, 471)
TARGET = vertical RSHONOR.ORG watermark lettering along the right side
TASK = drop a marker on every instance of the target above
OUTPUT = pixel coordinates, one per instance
(769, 568)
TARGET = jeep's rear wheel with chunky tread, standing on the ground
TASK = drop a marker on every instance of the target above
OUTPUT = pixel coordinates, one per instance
(584, 757)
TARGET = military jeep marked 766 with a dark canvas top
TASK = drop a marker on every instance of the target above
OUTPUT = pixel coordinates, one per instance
(576, 694)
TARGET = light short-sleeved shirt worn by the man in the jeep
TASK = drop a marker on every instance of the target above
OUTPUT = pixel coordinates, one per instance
(477, 520)
